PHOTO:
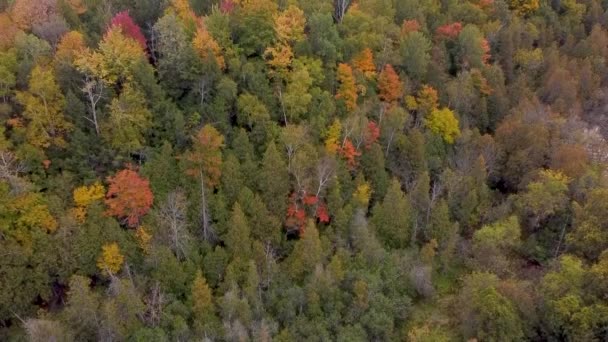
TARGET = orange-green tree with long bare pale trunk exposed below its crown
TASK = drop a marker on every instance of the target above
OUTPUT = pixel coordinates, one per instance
(204, 162)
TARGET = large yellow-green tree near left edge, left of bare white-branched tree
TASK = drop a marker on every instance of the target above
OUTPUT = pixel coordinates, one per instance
(44, 104)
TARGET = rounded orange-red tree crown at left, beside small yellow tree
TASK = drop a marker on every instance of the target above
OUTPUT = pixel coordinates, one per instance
(129, 197)
